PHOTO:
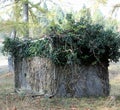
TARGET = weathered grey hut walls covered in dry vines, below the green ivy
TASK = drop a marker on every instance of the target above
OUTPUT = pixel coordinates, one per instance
(42, 76)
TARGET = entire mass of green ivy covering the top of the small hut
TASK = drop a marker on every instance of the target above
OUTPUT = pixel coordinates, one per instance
(83, 42)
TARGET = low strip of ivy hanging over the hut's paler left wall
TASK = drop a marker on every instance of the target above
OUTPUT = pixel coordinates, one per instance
(26, 48)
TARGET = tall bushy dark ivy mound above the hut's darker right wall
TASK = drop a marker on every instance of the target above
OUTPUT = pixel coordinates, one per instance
(85, 41)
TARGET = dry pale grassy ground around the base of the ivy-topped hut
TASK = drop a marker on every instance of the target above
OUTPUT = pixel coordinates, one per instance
(11, 101)
